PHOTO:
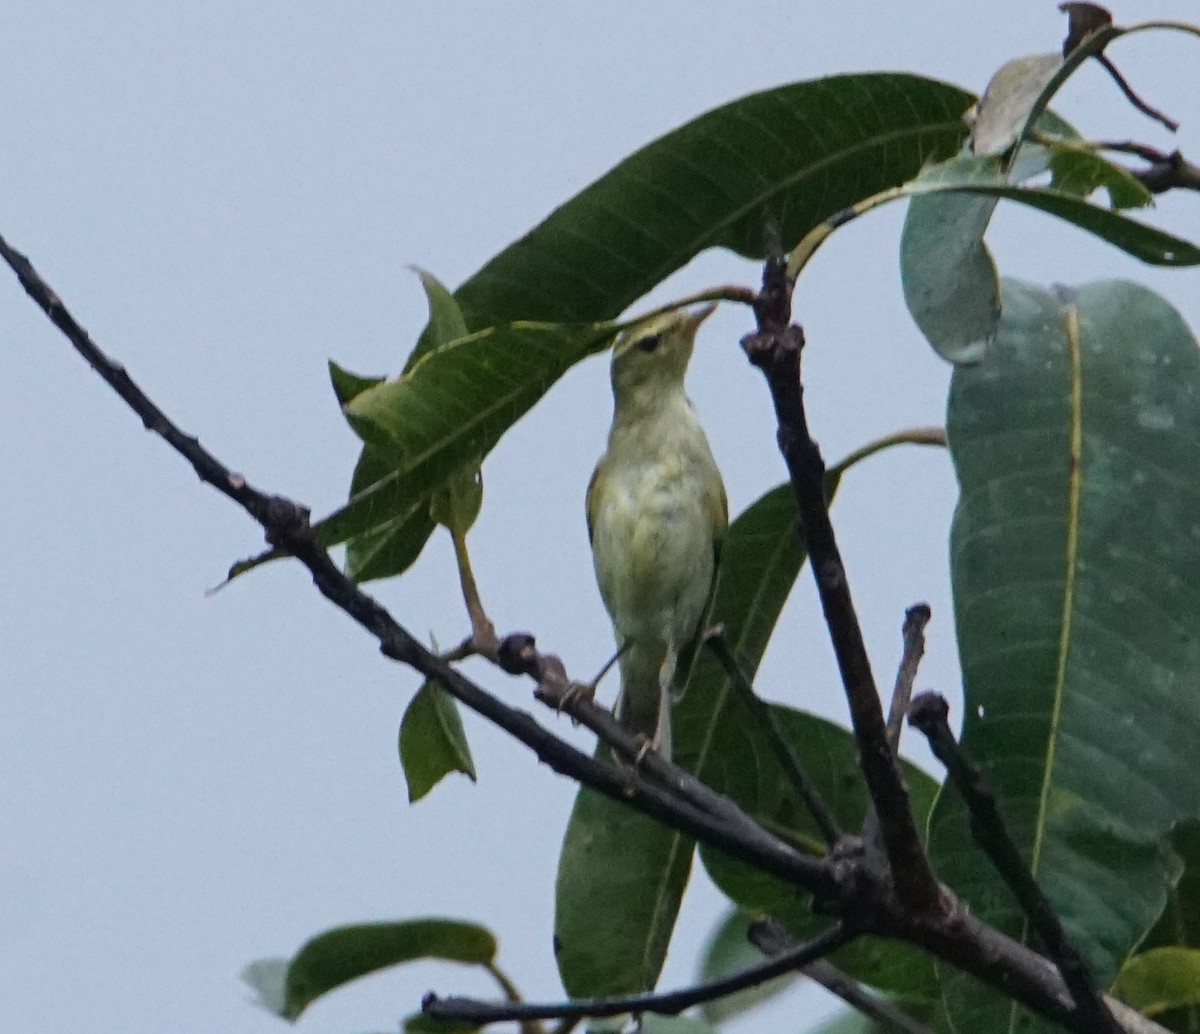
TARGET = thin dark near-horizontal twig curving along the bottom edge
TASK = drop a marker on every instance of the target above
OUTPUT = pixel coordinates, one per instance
(669, 1003)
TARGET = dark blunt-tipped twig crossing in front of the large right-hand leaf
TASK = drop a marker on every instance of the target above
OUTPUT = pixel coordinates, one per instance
(929, 714)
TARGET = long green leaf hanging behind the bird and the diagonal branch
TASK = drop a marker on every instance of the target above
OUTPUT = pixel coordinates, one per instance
(621, 876)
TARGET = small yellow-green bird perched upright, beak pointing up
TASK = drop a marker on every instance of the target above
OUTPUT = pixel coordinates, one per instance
(657, 513)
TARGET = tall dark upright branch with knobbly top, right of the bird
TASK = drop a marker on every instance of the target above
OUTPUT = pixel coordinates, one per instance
(776, 350)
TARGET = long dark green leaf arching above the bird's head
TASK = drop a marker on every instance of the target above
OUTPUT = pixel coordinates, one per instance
(772, 164)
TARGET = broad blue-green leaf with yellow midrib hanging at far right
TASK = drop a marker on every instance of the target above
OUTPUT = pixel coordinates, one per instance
(1076, 562)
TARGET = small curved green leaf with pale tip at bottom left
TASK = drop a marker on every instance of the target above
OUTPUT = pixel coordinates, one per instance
(347, 953)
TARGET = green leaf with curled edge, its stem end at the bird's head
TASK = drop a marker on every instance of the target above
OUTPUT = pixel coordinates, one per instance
(453, 406)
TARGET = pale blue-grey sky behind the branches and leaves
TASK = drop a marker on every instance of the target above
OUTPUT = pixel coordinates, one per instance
(227, 196)
